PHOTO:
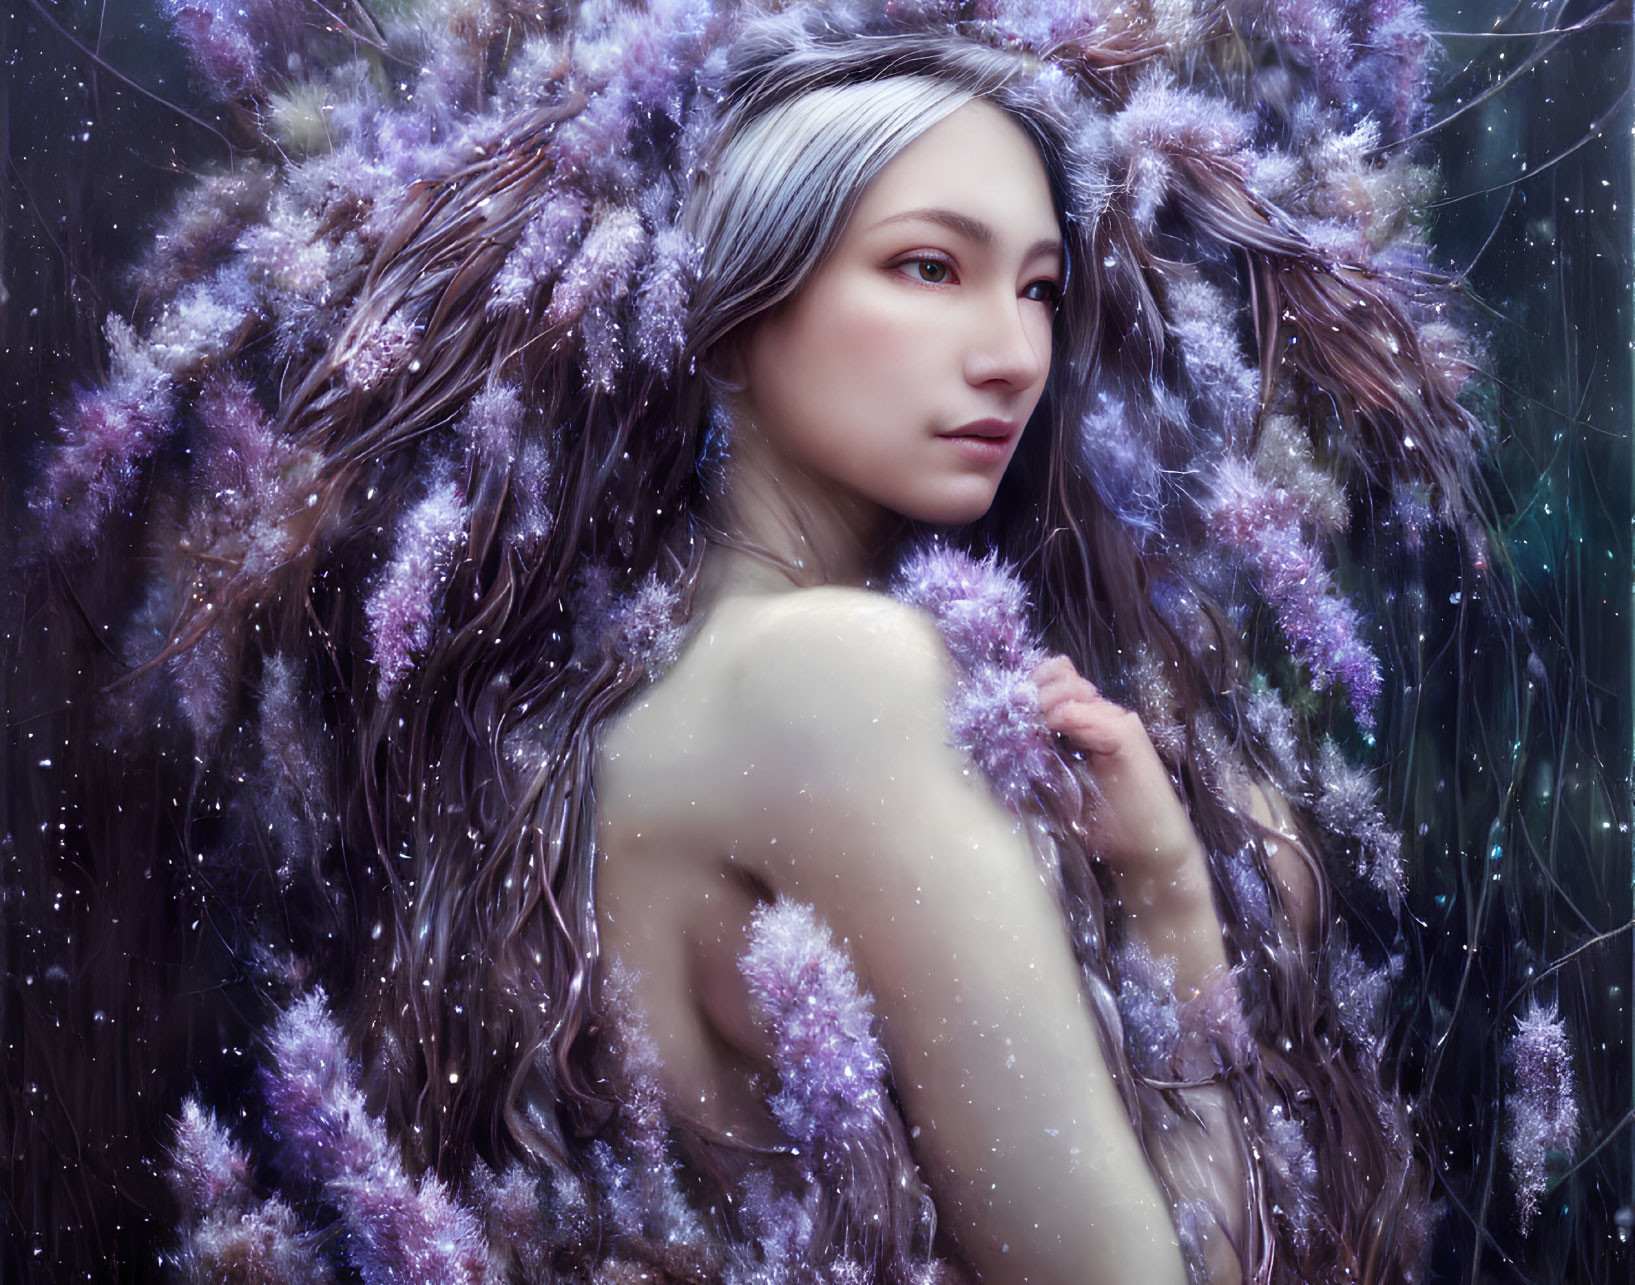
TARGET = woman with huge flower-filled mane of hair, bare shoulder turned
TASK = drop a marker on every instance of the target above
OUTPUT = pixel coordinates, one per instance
(544, 553)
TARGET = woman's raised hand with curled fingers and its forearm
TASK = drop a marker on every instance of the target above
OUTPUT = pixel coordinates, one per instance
(1140, 826)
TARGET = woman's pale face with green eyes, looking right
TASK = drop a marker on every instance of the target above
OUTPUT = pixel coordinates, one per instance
(905, 370)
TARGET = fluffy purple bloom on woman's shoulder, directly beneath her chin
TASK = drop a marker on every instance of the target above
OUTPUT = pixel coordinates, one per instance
(980, 606)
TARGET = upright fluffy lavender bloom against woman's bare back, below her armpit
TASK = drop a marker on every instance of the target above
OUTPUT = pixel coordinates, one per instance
(831, 1068)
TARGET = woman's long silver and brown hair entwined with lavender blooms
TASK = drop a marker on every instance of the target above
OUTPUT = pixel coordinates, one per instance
(480, 488)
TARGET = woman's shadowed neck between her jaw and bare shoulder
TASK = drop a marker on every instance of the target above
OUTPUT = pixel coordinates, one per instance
(784, 529)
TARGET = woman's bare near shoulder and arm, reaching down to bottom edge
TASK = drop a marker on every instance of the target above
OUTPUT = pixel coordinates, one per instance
(867, 813)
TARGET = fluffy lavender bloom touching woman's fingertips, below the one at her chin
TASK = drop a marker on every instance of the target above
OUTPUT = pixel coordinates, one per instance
(995, 720)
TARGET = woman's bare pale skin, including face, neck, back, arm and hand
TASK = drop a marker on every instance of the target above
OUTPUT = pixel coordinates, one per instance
(800, 743)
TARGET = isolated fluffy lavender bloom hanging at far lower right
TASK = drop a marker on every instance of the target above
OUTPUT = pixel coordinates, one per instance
(1543, 1109)
